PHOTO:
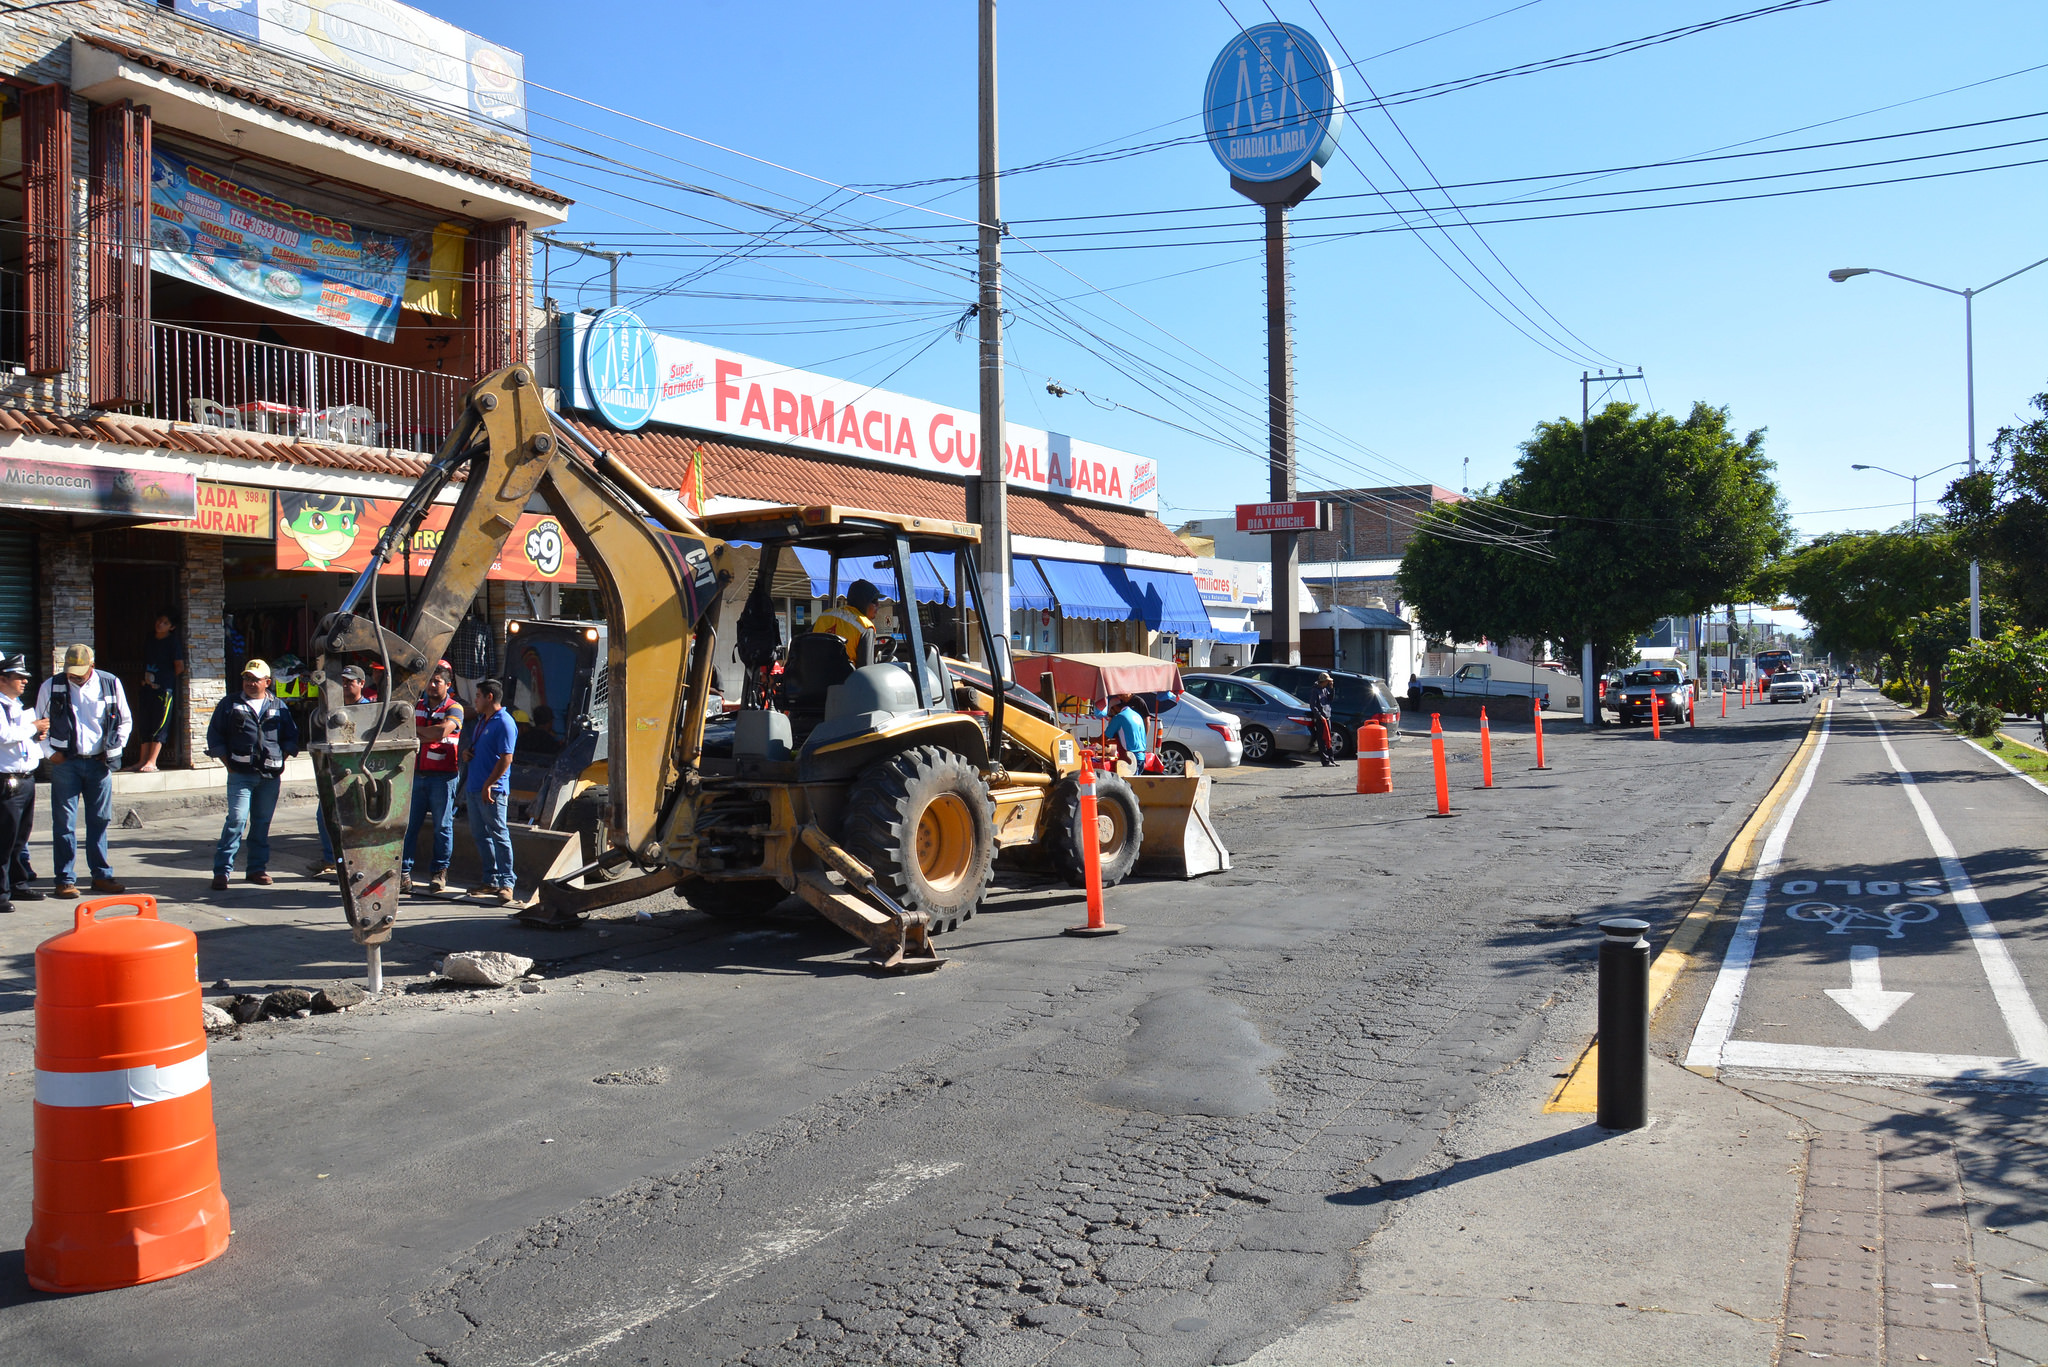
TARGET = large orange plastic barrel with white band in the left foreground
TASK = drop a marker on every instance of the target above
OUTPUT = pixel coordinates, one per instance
(128, 1184)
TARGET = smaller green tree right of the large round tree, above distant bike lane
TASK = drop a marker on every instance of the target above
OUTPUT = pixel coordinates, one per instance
(1859, 589)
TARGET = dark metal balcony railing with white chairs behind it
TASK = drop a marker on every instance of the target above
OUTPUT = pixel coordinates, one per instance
(286, 390)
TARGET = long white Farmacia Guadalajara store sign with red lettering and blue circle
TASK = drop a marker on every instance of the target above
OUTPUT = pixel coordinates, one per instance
(613, 366)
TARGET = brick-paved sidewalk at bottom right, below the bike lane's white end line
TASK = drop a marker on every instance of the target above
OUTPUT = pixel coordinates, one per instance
(1924, 1227)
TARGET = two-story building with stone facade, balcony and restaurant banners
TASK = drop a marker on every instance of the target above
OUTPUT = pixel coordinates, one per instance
(255, 255)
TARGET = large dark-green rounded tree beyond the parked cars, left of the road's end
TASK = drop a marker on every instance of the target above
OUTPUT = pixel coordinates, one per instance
(1652, 517)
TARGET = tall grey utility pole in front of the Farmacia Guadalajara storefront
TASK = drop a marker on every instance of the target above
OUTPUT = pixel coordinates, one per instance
(986, 493)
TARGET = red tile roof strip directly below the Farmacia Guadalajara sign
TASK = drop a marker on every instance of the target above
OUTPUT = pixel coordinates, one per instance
(777, 474)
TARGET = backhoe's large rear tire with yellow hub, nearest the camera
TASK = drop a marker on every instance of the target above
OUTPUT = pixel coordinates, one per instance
(925, 823)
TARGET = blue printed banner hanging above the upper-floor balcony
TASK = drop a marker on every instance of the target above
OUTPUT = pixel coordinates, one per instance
(243, 243)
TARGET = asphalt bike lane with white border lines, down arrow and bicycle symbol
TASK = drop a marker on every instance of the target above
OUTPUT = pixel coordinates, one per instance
(1893, 927)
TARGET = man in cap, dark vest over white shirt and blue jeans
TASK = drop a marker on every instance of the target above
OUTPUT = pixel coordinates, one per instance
(89, 727)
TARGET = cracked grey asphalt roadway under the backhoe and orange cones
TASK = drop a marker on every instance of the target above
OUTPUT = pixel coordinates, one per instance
(714, 1145)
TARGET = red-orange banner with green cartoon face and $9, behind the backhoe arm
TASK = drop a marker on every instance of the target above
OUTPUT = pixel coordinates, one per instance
(339, 534)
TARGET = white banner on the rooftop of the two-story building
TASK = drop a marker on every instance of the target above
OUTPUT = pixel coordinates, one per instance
(386, 44)
